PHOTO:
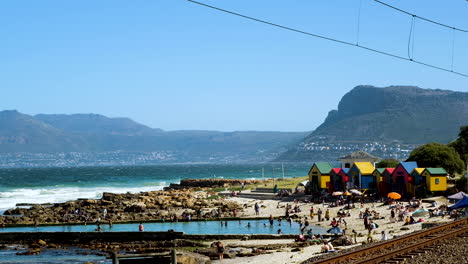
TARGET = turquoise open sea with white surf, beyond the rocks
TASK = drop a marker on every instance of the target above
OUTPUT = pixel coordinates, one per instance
(52, 185)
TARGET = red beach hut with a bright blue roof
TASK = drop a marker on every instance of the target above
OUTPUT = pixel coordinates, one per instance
(401, 178)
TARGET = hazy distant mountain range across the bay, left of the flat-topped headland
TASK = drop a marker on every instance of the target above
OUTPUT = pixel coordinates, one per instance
(97, 133)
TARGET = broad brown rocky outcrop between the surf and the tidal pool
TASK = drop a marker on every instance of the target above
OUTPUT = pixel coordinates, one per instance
(171, 205)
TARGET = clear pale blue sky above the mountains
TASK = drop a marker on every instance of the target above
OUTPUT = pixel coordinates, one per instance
(173, 65)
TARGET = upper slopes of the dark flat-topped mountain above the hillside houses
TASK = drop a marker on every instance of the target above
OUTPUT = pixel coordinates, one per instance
(406, 113)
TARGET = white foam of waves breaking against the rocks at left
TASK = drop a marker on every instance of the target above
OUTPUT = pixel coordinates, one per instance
(10, 198)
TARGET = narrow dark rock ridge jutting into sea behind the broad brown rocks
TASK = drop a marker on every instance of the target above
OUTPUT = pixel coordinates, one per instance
(209, 183)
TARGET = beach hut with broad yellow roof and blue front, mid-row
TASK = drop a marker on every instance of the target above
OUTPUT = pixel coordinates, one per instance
(361, 176)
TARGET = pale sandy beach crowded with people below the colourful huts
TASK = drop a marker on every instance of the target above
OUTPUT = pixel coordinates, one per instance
(291, 255)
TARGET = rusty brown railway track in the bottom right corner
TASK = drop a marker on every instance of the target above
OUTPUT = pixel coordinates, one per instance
(401, 248)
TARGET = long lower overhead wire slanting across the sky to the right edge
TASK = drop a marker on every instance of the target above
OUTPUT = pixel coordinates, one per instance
(329, 39)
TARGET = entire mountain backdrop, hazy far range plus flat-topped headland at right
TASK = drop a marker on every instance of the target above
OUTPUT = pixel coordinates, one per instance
(387, 122)
